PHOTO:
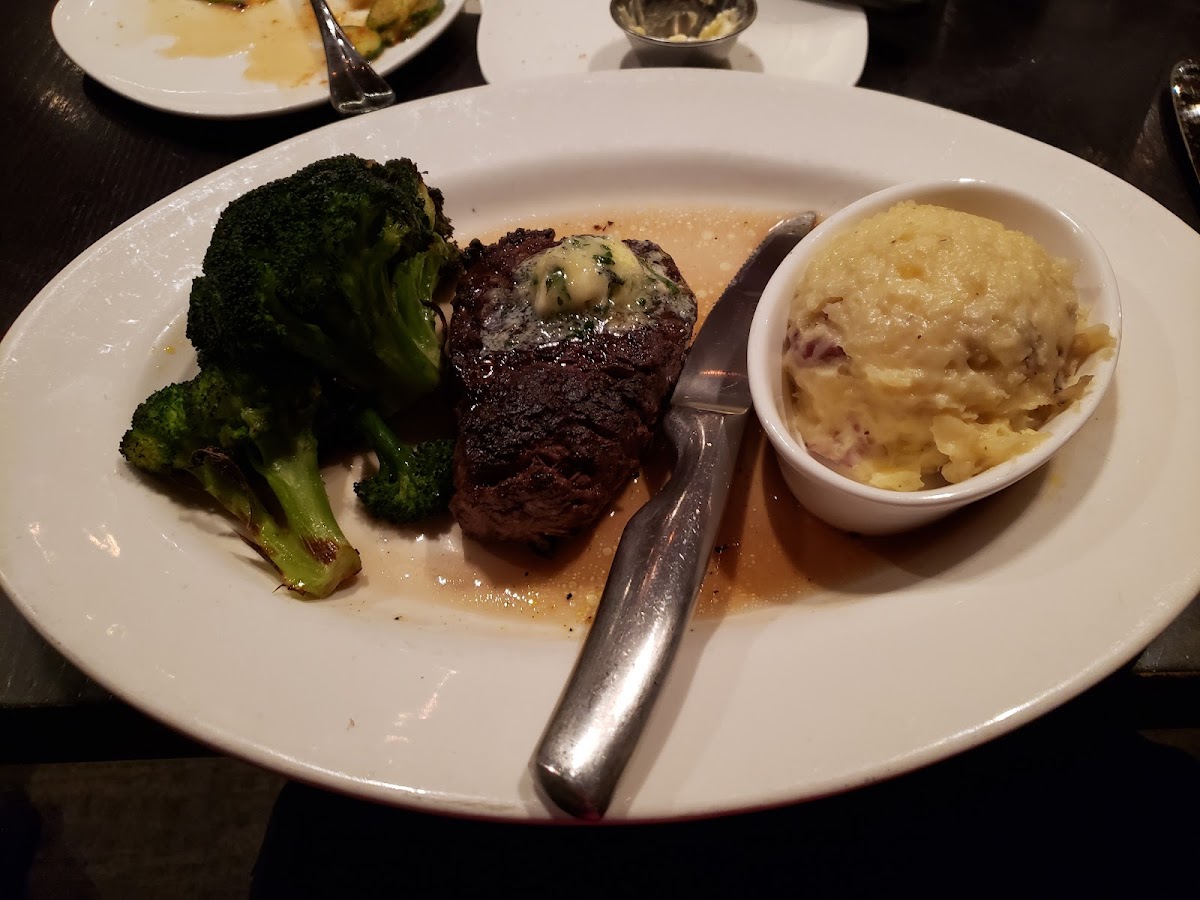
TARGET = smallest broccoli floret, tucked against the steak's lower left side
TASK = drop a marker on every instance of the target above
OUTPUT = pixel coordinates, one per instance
(413, 483)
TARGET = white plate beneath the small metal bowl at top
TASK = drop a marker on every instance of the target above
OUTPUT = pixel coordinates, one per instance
(796, 39)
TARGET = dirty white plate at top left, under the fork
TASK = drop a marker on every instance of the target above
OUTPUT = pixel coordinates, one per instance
(110, 41)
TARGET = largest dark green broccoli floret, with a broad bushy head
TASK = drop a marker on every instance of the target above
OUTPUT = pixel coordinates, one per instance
(337, 266)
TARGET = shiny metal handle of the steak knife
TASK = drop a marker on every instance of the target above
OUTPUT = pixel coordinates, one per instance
(650, 596)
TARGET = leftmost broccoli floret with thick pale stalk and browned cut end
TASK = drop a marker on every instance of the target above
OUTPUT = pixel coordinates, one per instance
(249, 441)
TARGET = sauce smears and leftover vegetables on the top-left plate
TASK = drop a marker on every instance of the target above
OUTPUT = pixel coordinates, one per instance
(279, 39)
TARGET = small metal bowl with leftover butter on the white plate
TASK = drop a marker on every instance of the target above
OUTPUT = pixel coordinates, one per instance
(668, 33)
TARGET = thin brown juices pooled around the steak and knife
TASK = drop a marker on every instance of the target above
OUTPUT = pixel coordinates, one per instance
(769, 549)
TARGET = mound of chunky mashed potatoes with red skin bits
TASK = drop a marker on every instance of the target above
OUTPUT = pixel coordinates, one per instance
(928, 345)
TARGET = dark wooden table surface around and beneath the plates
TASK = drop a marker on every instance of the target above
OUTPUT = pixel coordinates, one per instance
(1087, 76)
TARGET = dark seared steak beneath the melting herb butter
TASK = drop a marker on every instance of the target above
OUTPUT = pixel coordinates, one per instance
(549, 435)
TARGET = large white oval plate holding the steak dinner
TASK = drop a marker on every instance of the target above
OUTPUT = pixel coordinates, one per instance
(976, 628)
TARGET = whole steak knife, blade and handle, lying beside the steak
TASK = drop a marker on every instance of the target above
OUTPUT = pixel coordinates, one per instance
(663, 555)
